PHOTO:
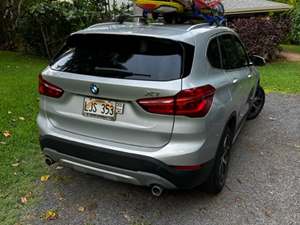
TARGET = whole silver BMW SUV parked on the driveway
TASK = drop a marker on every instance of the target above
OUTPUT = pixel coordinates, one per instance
(152, 105)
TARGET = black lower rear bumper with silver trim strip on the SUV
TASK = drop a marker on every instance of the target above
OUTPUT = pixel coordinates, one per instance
(120, 166)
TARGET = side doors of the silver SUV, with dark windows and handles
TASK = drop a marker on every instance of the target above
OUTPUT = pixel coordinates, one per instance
(236, 65)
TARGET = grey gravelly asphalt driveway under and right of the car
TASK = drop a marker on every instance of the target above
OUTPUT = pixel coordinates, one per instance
(263, 186)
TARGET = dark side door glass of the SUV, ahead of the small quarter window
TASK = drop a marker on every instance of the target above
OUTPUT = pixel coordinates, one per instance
(233, 53)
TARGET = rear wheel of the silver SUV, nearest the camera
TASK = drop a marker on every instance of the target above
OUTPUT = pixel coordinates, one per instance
(216, 180)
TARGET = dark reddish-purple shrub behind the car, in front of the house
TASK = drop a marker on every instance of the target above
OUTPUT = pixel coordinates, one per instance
(262, 35)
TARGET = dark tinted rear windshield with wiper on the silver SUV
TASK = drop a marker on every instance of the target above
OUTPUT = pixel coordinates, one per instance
(127, 57)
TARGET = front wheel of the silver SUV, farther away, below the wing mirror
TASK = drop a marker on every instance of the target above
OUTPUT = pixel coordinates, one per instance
(257, 104)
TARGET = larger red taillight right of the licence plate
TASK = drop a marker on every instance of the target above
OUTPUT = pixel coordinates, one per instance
(194, 102)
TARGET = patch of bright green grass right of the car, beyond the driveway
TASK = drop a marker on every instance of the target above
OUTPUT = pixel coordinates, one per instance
(281, 77)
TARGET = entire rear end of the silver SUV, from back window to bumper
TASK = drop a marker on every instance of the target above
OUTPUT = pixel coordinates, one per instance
(124, 107)
